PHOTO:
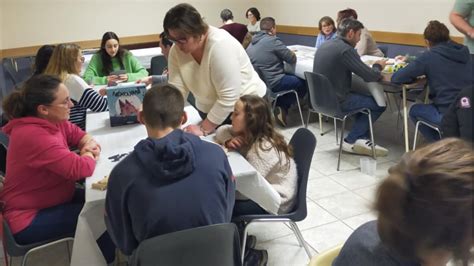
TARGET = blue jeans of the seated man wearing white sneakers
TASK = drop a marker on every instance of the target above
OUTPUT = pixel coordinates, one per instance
(360, 128)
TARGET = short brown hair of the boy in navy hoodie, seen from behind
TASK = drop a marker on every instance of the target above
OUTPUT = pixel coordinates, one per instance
(163, 106)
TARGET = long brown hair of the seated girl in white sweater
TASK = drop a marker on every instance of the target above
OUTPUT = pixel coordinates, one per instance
(260, 126)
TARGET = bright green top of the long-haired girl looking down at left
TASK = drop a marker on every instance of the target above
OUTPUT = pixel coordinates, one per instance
(97, 75)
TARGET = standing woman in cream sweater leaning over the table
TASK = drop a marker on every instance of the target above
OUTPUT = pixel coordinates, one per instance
(209, 63)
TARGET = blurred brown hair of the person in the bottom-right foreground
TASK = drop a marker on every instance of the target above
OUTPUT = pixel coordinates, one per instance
(426, 202)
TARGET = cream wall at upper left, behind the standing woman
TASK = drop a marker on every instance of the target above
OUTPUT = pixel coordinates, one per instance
(37, 22)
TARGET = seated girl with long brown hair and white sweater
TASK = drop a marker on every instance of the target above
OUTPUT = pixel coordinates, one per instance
(252, 134)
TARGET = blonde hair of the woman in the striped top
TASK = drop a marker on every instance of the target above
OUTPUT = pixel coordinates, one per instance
(63, 61)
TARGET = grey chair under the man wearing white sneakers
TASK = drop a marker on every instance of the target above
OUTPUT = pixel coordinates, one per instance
(323, 100)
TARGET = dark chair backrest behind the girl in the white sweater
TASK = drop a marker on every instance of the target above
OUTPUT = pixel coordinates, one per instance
(303, 143)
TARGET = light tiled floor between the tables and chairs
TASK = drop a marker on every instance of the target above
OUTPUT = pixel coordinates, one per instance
(338, 202)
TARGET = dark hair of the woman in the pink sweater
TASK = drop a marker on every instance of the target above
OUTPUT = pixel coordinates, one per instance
(38, 90)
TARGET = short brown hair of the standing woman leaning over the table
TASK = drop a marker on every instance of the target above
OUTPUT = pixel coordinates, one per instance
(186, 19)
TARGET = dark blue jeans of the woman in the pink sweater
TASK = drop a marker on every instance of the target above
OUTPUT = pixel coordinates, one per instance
(61, 221)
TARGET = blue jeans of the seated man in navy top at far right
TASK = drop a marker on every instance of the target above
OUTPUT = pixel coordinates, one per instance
(429, 113)
